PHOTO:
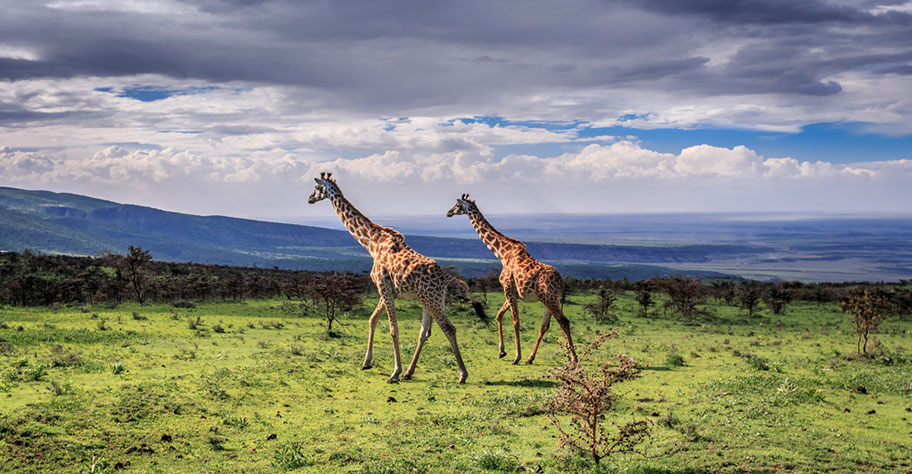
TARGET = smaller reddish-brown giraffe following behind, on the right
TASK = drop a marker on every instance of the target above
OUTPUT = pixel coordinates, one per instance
(522, 277)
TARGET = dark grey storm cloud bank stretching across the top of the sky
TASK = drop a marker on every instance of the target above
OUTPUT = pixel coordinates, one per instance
(398, 56)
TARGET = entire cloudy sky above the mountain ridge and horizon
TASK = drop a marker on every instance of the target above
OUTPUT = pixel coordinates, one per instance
(231, 107)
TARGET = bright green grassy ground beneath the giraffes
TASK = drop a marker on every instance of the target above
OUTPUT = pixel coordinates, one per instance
(251, 388)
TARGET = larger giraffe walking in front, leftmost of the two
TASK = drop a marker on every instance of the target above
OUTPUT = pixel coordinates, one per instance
(397, 271)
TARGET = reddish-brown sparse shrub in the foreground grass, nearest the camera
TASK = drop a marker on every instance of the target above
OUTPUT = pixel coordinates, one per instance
(587, 396)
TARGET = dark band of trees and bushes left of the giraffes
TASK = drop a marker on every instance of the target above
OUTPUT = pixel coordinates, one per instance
(29, 279)
